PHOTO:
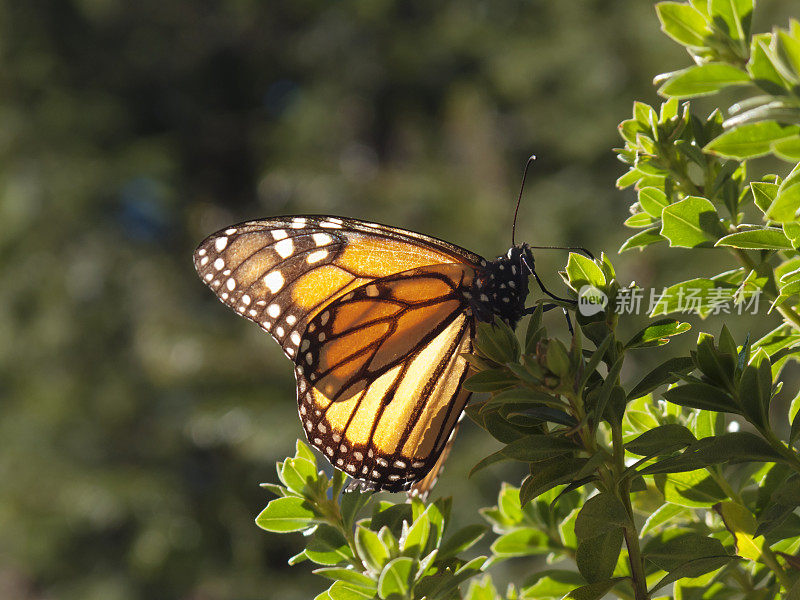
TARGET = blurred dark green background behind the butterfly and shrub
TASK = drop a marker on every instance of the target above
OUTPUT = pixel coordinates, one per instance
(137, 415)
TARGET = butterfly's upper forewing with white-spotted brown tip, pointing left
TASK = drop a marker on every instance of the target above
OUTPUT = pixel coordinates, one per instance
(280, 272)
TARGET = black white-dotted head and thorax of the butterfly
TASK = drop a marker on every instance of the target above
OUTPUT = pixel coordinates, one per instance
(501, 287)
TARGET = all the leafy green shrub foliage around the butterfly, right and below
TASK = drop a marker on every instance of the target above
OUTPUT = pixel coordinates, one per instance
(676, 482)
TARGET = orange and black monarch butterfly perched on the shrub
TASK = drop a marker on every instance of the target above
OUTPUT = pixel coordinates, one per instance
(376, 320)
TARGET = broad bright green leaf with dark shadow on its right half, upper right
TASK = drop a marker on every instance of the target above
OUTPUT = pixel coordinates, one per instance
(690, 223)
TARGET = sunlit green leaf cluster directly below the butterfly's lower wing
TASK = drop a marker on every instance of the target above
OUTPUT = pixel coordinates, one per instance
(399, 551)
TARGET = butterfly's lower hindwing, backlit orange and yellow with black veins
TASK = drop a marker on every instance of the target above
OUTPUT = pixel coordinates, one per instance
(379, 374)
